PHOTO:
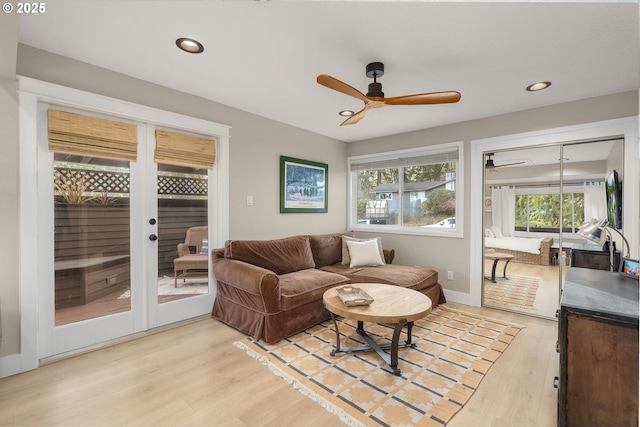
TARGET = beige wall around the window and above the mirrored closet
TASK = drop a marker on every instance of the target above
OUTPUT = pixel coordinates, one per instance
(454, 254)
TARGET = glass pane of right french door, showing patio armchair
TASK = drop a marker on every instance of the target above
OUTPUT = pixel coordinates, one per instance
(183, 249)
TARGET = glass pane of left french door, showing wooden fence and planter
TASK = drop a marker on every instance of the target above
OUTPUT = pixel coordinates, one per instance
(91, 238)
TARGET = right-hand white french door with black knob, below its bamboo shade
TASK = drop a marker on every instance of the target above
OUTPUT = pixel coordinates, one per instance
(178, 278)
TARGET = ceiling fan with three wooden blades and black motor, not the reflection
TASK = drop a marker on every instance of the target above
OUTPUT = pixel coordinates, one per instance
(375, 97)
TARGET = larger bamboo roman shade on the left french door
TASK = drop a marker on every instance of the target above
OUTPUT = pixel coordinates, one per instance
(72, 133)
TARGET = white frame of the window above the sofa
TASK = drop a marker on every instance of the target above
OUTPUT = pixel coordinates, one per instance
(352, 211)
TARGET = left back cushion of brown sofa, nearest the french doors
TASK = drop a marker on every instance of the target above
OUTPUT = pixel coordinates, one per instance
(280, 255)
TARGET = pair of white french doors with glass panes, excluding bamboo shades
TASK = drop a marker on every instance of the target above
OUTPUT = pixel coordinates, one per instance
(110, 237)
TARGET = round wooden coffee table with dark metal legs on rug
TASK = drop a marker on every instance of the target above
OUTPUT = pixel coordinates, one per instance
(392, 304)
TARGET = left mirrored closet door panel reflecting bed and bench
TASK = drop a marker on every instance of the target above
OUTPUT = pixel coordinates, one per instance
(522, 217)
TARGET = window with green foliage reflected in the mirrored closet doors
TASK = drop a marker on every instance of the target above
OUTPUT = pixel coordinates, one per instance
(538, 212)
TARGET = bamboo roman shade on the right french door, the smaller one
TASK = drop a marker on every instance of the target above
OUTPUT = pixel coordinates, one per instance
(184, 150)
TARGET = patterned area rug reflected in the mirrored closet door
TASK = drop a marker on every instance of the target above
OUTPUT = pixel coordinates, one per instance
(516, 291)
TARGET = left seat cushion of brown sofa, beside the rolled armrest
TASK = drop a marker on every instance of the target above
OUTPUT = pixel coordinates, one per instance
(304, 286)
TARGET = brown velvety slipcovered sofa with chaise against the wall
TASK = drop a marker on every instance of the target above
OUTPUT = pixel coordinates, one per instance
(272, 289)
